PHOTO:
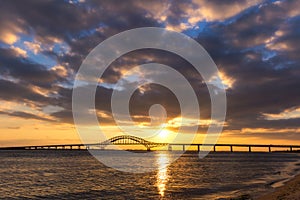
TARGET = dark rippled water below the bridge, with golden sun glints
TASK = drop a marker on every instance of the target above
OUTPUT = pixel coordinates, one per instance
(63, 174)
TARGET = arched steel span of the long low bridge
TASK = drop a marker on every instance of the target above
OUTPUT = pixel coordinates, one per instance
(131, 140)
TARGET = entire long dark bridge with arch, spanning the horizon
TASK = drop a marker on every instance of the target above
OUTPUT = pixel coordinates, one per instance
(133, 140)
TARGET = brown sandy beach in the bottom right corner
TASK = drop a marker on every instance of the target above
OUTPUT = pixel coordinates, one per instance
(289, 191)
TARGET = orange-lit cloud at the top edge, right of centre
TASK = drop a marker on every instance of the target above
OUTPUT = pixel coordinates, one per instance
(194, 12)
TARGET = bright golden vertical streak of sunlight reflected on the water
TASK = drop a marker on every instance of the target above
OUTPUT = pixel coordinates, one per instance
(162, 173)
